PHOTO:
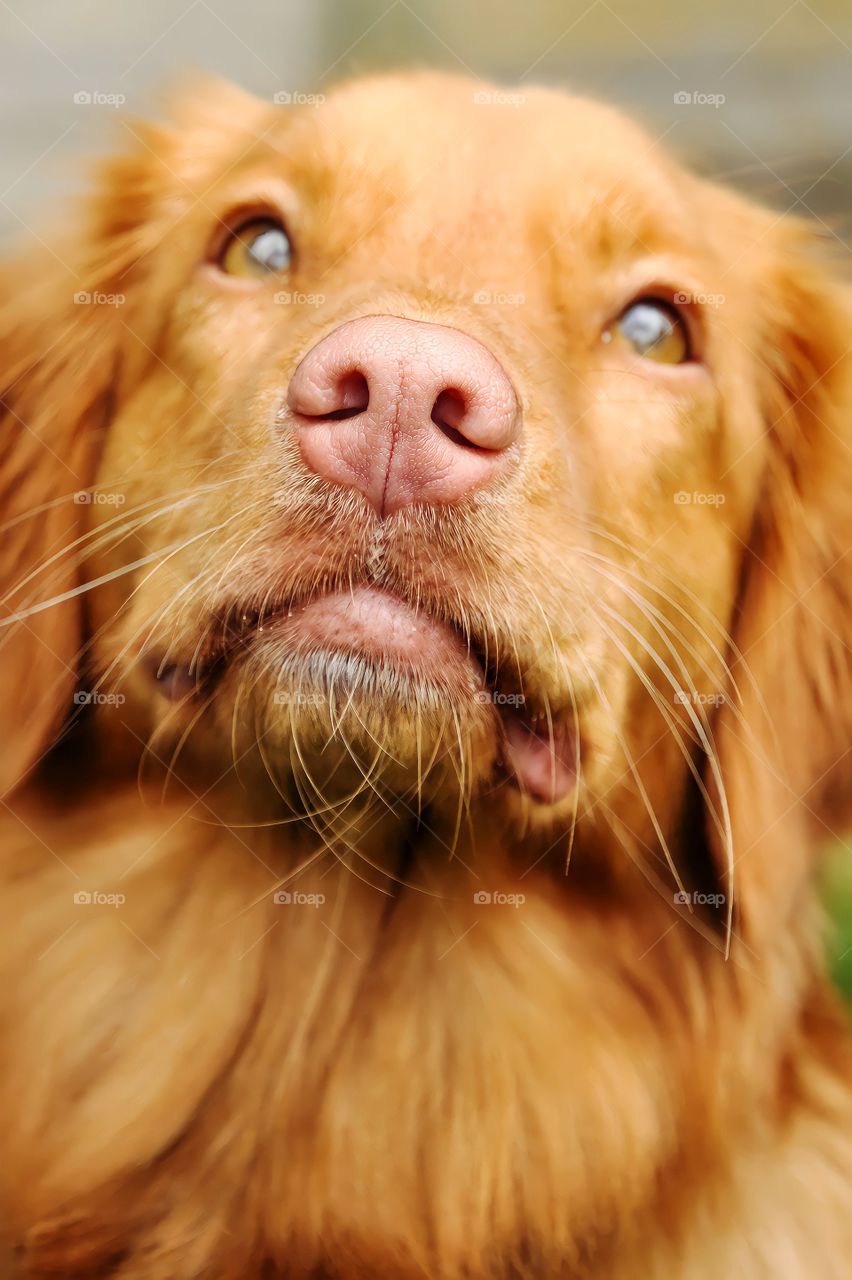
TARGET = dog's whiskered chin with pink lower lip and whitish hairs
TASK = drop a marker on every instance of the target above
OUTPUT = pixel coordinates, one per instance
(358, 693)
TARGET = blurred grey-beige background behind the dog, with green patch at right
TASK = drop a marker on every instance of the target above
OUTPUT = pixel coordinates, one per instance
(757, 94)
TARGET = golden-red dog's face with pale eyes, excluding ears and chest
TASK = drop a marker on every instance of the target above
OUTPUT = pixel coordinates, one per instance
(438, 440)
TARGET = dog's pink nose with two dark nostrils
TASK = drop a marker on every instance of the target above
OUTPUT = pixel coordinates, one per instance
(404, 412)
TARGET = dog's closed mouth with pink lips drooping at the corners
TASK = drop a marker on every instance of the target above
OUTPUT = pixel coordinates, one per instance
(363, 630)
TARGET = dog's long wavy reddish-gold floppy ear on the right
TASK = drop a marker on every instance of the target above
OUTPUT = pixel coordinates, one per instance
(786, 757)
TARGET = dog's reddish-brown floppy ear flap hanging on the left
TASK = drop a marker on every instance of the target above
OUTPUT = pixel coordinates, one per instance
(63, 331)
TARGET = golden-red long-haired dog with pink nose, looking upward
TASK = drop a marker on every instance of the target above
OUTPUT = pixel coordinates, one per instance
(425, 697)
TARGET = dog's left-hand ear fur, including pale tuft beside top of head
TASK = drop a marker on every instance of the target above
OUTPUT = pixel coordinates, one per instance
(72, 340)
